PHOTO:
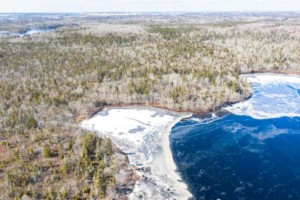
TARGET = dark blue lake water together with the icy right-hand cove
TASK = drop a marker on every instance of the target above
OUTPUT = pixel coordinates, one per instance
(251, 152)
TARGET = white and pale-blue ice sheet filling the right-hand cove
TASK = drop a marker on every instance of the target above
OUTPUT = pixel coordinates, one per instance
(274, 96)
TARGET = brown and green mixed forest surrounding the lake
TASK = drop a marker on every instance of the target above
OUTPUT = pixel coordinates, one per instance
(49, 82)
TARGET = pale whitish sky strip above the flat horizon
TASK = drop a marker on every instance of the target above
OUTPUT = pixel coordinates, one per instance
(146, 5)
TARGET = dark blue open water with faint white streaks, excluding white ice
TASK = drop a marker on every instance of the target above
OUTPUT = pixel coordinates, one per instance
(239, 157)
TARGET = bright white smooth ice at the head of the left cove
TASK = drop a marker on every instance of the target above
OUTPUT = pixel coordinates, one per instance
(124, 124)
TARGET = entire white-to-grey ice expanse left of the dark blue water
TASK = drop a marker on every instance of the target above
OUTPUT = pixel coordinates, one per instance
(143, 133)
